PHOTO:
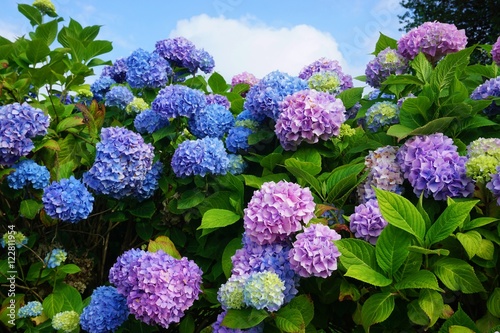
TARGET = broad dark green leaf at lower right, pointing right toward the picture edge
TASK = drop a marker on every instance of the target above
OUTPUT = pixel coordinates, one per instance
(457, 275)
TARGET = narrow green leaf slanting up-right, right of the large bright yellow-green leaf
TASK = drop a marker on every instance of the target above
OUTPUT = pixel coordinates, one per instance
(452, 217)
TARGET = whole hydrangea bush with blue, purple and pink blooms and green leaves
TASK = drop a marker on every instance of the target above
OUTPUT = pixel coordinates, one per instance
(163, 197)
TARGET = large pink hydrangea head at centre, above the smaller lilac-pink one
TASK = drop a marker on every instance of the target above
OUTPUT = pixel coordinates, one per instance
(276, 211)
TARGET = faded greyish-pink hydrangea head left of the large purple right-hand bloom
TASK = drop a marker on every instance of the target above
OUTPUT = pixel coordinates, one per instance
(384, 173)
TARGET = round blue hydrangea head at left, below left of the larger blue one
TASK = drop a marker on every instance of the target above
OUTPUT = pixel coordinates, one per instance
(67, 200)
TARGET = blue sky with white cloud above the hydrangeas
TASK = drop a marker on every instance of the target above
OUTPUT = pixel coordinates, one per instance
(255, 36)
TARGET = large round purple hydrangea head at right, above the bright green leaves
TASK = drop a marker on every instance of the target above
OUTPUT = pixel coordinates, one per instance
(432, 165)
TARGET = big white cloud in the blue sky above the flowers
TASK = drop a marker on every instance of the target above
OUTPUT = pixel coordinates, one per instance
(249, 45)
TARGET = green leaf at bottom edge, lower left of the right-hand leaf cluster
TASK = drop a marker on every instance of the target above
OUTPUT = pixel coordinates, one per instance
(377, 308)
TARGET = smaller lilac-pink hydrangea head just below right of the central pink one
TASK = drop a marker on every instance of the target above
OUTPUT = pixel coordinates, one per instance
(314, 253)
